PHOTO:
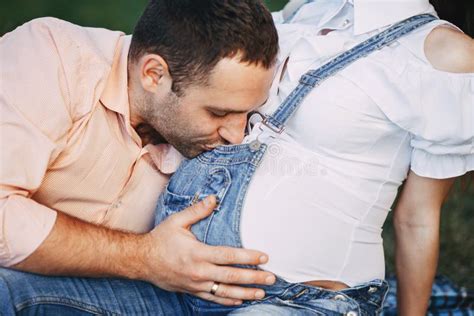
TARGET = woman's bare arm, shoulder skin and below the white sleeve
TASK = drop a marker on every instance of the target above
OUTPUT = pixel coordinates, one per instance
(416, 217)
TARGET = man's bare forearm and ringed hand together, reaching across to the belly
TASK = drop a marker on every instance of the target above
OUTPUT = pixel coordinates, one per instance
(169, 257)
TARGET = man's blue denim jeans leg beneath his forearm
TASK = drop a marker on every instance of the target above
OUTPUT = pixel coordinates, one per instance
(29, 294)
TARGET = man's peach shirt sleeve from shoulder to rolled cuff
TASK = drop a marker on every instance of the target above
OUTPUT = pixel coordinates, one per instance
(34, 121)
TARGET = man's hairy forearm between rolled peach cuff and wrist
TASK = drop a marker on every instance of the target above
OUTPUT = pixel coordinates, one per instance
(77, 248)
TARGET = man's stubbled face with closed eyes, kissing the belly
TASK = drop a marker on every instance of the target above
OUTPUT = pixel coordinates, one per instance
(210, 115)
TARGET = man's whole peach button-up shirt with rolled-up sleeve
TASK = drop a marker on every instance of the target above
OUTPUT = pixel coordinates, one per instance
(67, 144)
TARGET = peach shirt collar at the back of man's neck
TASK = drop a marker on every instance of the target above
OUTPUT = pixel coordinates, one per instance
(115, 95)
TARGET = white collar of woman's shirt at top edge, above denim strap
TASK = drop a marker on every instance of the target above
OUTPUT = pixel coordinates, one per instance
(370, 15)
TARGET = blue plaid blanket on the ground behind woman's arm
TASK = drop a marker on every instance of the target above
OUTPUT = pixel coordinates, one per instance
(446, 299)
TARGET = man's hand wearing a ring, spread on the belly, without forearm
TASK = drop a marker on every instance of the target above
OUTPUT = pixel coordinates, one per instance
(176, 261)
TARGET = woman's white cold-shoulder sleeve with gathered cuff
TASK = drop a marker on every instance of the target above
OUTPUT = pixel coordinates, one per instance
(440, 114)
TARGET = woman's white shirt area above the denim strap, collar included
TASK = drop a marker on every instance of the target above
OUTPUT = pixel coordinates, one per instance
(299, 34)
